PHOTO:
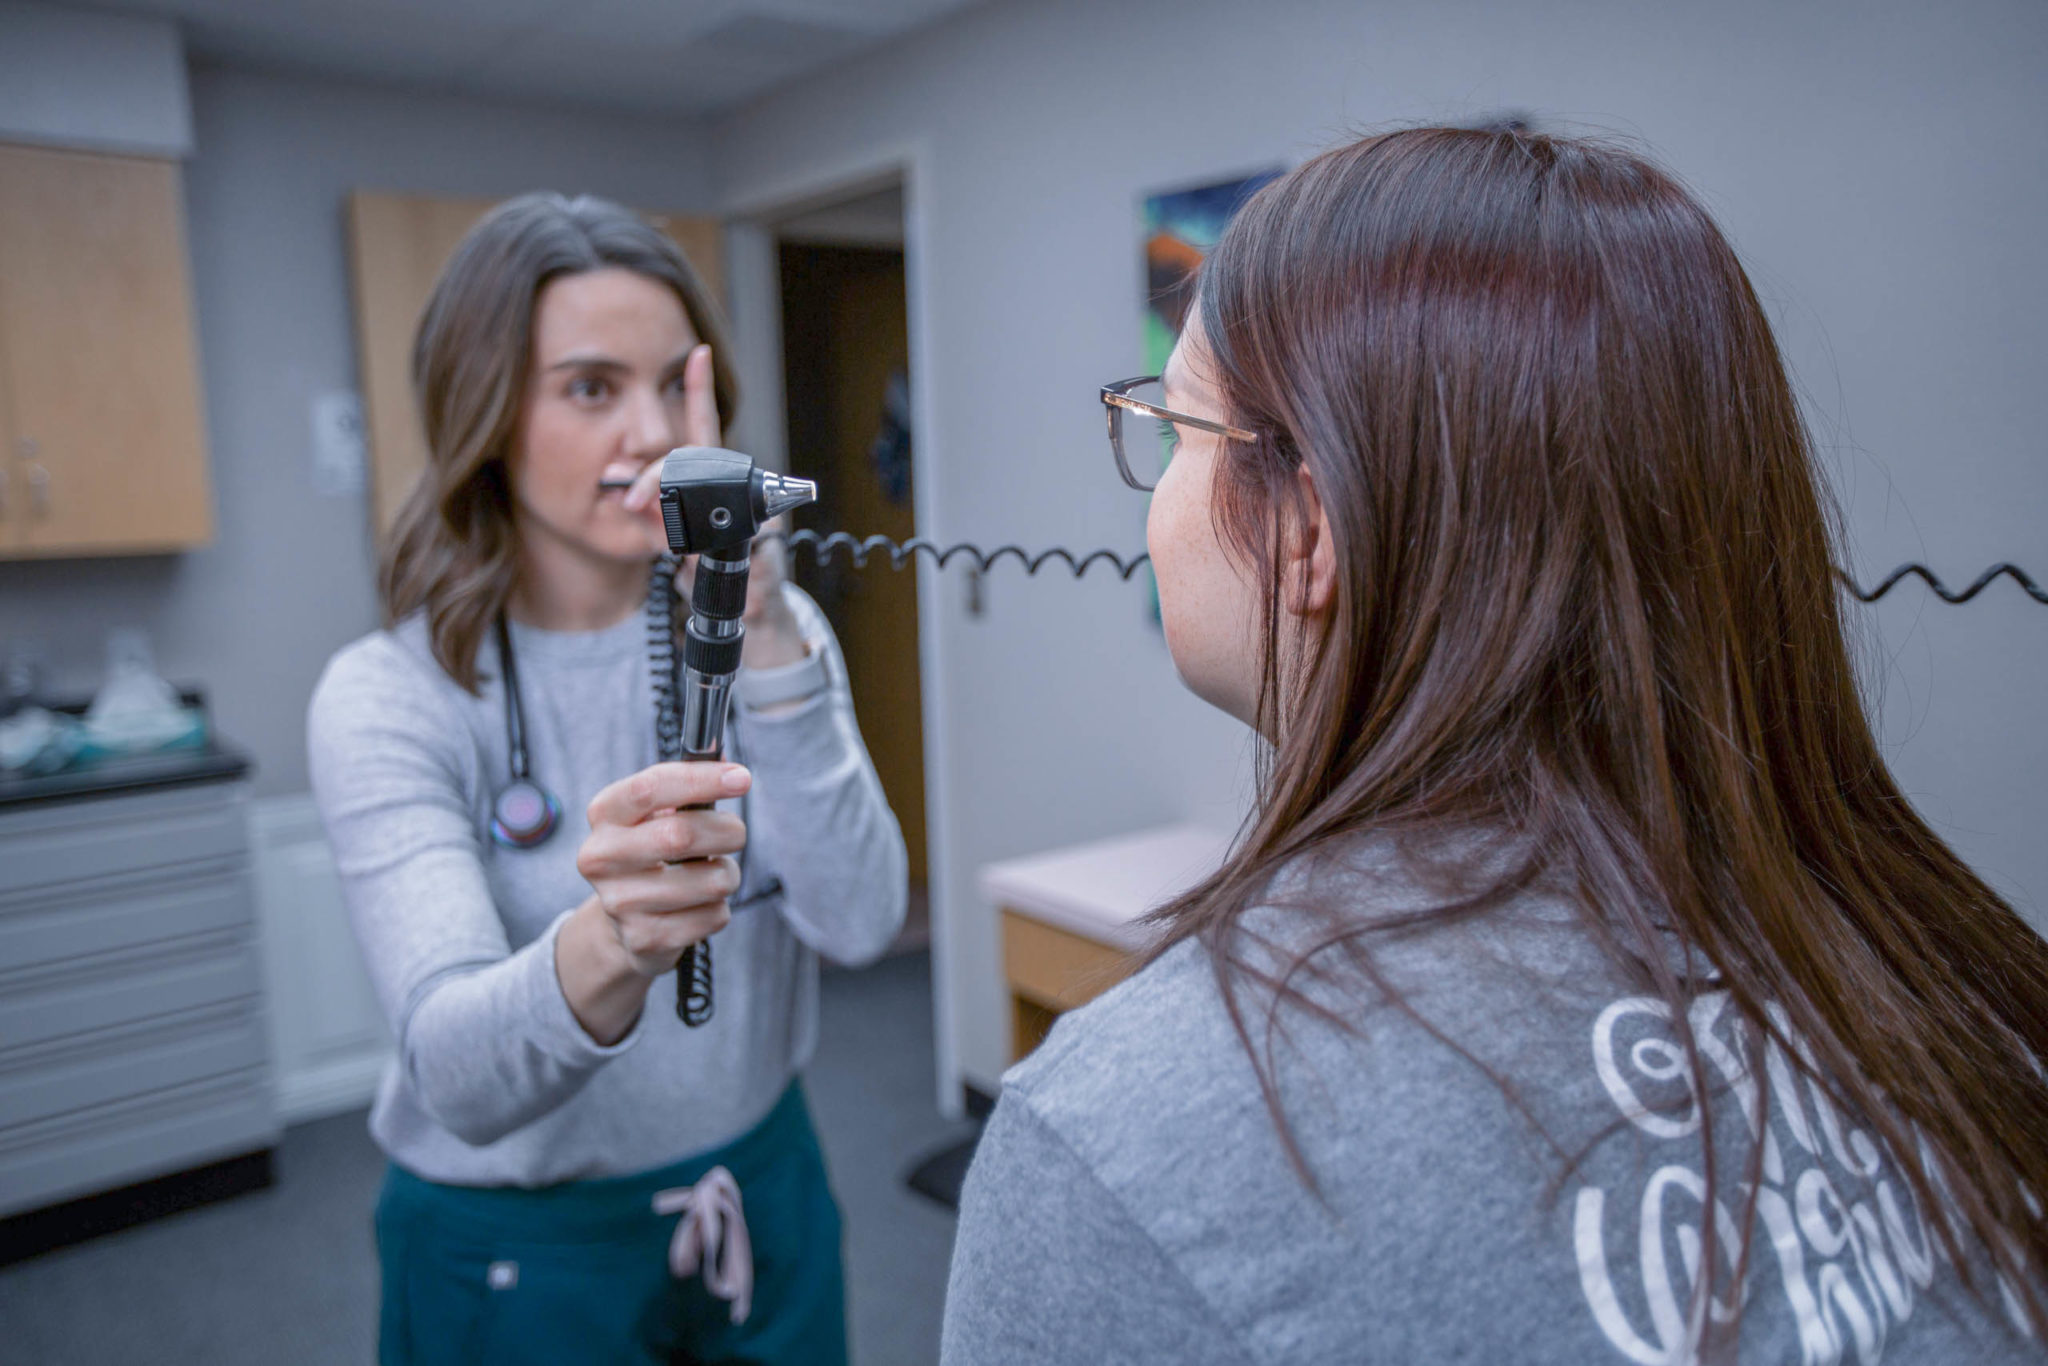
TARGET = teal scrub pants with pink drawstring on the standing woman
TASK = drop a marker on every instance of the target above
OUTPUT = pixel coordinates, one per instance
(579, 1273)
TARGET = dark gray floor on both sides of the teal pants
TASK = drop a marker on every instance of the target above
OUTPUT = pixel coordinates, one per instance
(290, 1275)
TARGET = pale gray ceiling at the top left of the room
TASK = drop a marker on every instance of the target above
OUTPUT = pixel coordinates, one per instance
(632, 56)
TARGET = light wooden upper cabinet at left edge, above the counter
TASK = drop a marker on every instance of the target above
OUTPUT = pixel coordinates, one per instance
(99, 364)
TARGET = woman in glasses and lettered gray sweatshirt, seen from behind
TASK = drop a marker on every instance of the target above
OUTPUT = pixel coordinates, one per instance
(1582, 988)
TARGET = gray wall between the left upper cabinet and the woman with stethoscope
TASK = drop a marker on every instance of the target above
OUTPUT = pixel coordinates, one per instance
(290, 574)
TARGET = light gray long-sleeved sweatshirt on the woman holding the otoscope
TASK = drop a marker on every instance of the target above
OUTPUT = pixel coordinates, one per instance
(495, 1082)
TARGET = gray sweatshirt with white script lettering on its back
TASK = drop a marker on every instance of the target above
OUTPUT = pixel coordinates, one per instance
(1132, 1199)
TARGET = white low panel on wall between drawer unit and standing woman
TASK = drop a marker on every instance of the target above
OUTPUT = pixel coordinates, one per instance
(327, 1031)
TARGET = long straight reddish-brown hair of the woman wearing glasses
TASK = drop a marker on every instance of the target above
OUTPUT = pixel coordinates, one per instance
(1586, 595)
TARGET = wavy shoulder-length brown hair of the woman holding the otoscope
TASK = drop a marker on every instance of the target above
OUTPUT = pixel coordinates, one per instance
(456, 548)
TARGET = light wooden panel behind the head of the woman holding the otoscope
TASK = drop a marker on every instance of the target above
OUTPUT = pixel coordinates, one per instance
(398, 247)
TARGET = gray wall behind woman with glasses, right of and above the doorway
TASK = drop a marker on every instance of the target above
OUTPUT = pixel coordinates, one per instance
(1877, 163)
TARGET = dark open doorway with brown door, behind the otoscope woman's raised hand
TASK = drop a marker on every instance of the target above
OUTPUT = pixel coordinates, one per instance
(849, 427)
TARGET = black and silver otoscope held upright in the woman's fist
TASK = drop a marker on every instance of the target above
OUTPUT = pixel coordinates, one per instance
(714, 505)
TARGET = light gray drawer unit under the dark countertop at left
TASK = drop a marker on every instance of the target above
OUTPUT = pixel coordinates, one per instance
(134, 1035)
